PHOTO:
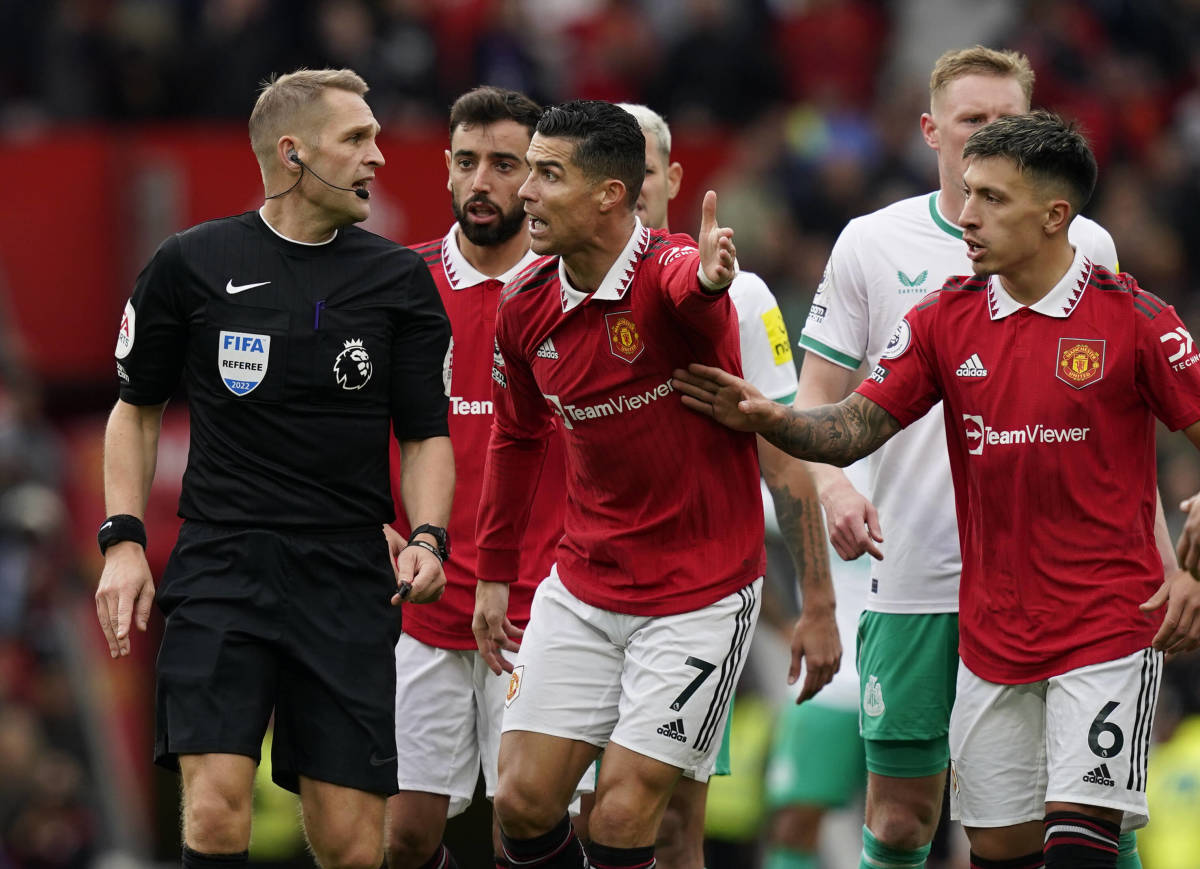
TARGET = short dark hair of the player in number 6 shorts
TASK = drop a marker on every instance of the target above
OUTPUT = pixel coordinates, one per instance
(1043, 146)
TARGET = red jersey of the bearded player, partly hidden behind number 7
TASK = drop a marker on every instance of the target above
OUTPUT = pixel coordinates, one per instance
(471, 299)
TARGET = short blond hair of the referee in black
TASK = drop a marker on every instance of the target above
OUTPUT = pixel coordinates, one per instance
(291, 104)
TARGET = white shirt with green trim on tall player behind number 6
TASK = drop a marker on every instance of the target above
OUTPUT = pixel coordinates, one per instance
(881, 266)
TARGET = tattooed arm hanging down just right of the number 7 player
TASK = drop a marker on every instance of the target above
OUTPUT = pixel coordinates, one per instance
(815, 636)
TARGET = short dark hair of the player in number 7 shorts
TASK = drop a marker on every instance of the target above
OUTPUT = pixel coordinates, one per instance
(609, 141)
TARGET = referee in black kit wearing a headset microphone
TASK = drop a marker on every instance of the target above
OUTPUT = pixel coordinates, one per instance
(301, 338)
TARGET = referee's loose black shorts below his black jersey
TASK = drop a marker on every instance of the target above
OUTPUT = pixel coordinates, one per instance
(298, 625)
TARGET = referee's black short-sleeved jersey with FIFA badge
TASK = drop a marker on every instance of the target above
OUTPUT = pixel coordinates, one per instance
(296, 358)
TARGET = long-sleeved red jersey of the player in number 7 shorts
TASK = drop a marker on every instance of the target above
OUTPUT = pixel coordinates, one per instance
(664, 513)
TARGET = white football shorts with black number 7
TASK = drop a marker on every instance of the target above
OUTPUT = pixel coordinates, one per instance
(658, 686)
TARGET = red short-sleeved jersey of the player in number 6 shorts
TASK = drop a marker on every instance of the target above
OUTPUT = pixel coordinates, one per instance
(1051, 425)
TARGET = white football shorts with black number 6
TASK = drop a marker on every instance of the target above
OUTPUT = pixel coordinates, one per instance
(1081, 738)
